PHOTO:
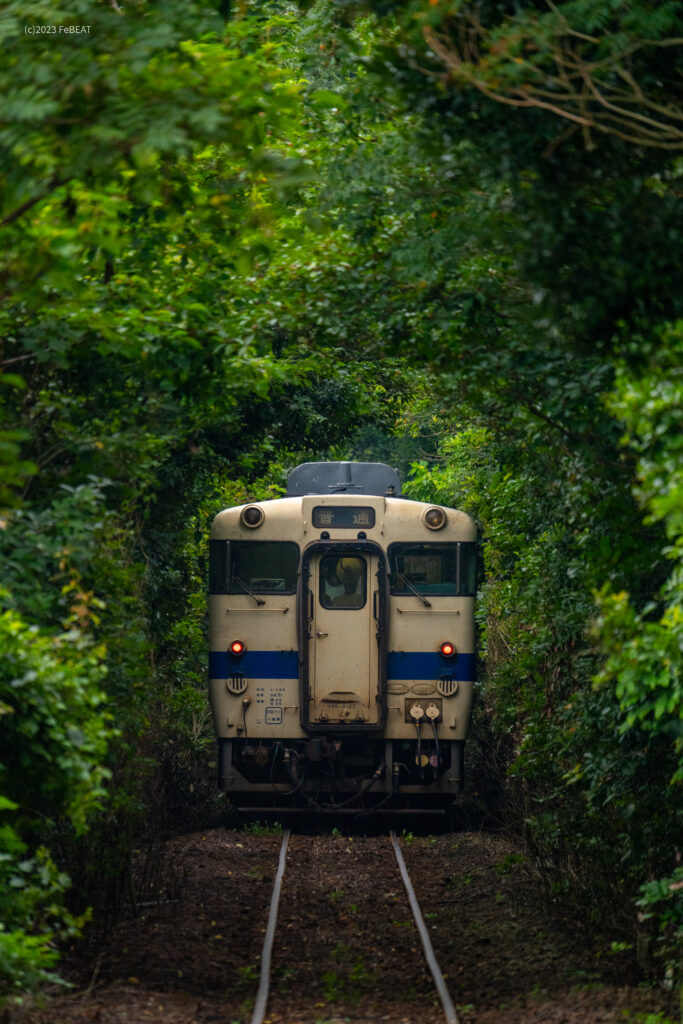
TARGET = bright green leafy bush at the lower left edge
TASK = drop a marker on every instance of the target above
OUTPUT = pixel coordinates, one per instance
(55, 739)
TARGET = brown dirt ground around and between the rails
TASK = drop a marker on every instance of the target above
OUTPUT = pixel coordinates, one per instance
(347, 950)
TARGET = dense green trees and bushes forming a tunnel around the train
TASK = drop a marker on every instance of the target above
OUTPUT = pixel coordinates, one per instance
(233, 241)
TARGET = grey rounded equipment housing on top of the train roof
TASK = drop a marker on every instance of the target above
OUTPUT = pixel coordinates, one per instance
(344, 478)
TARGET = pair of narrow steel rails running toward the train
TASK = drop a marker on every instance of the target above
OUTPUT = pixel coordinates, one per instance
(264, 993)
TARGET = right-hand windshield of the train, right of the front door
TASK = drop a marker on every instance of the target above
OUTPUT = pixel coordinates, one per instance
(434, 569)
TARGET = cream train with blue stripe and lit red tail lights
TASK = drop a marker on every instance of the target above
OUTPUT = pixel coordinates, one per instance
(343, 645)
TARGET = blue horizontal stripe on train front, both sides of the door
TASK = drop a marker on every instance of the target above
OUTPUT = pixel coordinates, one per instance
(285, 665)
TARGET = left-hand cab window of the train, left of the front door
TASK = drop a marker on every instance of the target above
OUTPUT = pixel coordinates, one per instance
(262, 567)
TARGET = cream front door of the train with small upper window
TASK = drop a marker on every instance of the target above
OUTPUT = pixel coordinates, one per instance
(344, 656)
